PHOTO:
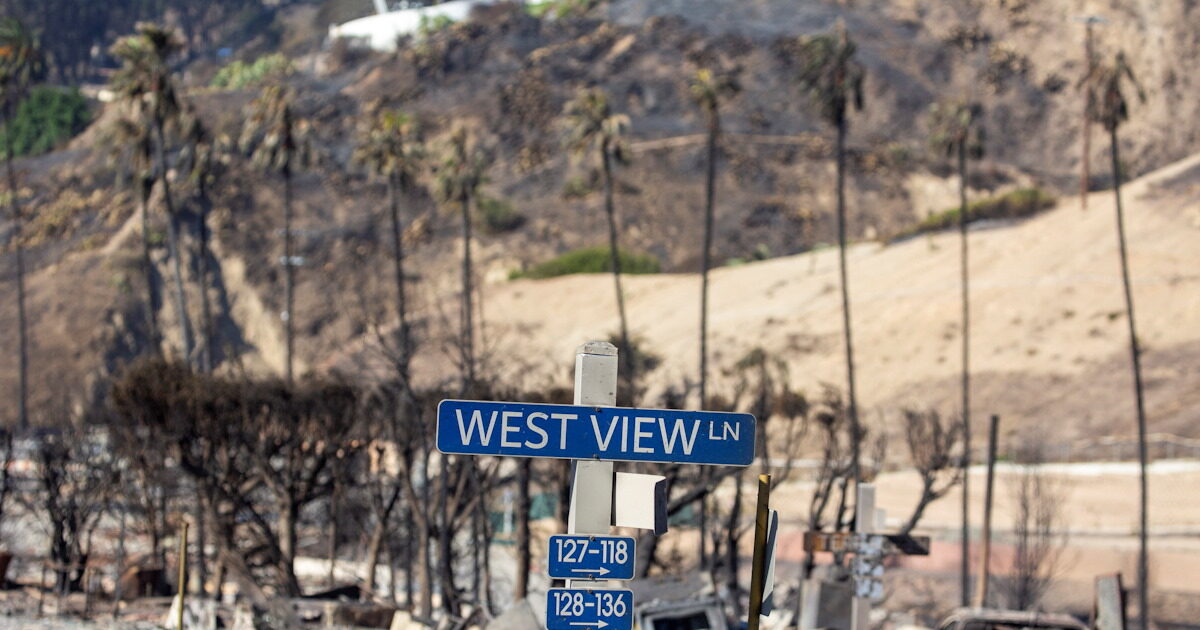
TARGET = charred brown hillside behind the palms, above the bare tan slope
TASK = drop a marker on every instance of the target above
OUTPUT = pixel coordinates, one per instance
(507, 76)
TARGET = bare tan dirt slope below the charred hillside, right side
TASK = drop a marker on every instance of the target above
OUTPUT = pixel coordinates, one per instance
(1049, 335)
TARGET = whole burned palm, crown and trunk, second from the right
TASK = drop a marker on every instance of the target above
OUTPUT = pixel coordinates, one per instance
(956, 133)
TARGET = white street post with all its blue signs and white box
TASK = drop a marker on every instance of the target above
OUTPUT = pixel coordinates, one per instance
(595, 434)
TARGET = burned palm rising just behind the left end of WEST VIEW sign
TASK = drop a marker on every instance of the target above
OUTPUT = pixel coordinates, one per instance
(459, 178)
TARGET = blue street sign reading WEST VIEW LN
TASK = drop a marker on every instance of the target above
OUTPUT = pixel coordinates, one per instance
(577, 433)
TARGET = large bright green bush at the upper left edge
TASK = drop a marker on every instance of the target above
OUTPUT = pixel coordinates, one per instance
(45, 121)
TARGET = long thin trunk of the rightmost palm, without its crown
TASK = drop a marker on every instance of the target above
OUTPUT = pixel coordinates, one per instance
(1136, 359)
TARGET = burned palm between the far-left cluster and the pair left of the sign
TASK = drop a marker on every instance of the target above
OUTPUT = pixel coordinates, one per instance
(278, 141)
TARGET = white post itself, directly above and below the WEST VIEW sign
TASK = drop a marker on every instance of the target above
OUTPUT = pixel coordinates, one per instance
(596, 385)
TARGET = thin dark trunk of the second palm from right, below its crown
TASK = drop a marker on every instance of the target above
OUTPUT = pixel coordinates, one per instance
(965, 569)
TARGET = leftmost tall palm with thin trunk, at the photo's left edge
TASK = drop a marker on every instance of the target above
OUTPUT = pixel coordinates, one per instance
(21, 67)
